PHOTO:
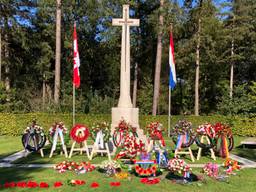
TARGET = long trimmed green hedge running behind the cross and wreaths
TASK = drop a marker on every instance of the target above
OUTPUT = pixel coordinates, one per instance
(14, 124)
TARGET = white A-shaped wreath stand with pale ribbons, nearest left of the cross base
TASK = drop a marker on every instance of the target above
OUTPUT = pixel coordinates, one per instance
(100, 146)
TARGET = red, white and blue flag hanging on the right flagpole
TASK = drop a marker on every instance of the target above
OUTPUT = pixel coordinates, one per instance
(172, 78)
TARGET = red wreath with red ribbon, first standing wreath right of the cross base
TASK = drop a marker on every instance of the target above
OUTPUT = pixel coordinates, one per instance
(154, 130)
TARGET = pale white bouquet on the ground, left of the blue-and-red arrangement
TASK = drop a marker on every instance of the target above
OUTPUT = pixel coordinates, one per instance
(110, 167)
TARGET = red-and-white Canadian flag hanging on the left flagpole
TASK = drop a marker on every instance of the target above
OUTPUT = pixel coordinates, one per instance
(76, 61)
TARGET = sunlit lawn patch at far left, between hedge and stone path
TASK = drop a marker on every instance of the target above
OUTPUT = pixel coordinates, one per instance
(9, 145)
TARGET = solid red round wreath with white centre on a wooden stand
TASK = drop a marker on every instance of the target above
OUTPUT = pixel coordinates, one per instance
(79, 133)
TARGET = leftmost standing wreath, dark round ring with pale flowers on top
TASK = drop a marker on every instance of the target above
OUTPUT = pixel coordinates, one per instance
(35, 134)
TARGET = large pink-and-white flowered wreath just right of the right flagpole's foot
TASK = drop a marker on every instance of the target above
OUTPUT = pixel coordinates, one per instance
(183, 127)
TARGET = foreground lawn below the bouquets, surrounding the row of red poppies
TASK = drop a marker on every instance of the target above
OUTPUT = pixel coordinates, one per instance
(243, 181)
